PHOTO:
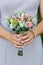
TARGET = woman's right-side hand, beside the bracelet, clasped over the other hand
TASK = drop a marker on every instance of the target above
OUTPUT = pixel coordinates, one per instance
(27, 37)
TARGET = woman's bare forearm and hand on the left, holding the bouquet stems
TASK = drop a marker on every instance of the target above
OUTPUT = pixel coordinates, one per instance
(11, 37)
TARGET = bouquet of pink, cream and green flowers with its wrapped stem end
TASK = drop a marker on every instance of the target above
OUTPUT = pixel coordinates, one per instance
(18, 23)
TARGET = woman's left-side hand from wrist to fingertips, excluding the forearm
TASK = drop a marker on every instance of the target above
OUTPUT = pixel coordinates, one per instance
(14, 39)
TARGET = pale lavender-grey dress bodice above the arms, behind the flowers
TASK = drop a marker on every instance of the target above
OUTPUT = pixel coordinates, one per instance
(8, 6)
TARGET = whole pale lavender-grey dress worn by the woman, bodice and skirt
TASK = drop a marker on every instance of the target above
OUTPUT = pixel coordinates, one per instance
(8, 53)
